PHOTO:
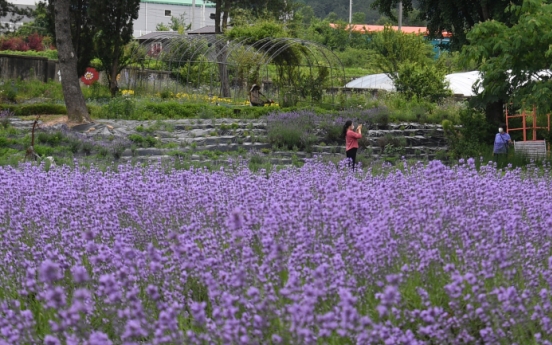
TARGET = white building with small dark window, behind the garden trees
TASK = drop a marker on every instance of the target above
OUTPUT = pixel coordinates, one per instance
(151, 14)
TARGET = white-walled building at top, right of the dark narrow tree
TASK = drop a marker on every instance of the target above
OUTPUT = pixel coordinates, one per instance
(153, 12)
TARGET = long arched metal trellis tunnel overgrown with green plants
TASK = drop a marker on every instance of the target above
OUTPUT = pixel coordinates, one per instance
(227, 68)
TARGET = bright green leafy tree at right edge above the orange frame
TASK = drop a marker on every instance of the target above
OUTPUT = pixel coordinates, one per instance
(512, 59)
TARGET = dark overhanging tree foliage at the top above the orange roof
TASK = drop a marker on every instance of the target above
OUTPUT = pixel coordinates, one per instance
(453, 16)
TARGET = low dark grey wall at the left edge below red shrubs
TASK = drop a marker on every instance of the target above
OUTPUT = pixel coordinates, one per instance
(27, 67)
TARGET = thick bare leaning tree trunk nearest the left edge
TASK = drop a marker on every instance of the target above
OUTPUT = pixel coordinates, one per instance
(74, 100)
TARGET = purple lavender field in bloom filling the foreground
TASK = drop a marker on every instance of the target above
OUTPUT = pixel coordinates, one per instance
(317, 255)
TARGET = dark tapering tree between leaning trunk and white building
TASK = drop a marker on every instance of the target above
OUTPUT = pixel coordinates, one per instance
(114, 22)
